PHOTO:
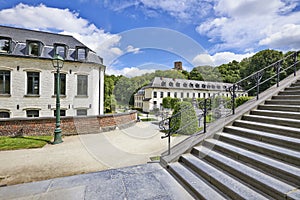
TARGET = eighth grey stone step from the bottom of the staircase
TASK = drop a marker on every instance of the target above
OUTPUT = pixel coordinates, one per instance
(273, 120)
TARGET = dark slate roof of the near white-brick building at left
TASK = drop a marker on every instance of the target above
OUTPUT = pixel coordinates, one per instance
(20, 36)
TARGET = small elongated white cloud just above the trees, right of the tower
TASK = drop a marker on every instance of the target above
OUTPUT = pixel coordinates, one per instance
(218, 58)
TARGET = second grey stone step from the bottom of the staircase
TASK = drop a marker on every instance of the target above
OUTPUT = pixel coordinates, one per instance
(230, 186)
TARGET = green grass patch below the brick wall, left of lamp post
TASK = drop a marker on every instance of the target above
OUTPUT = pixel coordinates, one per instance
(26, 142)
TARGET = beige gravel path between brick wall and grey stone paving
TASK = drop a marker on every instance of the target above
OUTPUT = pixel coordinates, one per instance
(84, 154)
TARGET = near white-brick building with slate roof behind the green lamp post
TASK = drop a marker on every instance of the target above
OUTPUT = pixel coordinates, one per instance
(27, 77)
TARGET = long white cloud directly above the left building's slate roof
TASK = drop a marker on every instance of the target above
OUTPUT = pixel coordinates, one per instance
(66, 22)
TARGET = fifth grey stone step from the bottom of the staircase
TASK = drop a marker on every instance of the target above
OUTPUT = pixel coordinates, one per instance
(273, 151)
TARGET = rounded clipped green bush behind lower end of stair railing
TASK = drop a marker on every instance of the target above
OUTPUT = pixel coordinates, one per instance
(184, 119)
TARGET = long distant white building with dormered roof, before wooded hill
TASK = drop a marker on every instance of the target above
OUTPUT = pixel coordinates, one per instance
(151, 96)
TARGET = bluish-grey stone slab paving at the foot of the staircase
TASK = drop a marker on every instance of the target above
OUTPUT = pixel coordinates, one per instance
(148, 181)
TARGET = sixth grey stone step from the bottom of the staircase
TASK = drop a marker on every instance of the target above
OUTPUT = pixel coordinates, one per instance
(279, 140)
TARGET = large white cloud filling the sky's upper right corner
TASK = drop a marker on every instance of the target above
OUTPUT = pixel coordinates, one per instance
(243, 24)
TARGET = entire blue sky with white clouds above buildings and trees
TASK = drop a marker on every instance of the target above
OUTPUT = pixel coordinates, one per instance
(138, 36)
